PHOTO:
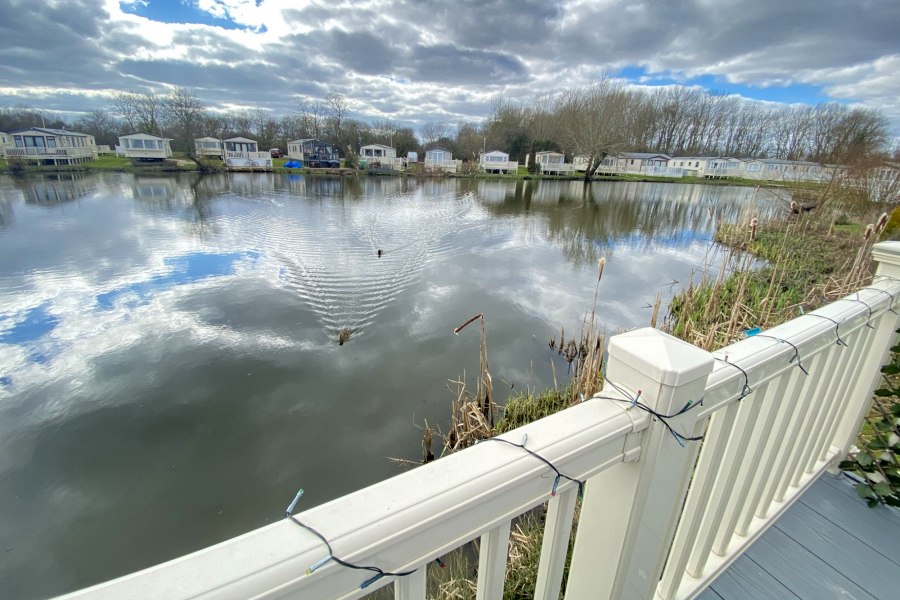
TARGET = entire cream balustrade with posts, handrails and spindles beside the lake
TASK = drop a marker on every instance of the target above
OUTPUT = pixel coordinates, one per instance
(660, 518)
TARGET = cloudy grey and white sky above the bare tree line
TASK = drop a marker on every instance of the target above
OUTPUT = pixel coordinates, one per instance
(419, 60)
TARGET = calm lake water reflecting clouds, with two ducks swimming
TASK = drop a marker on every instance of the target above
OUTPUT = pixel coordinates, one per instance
(170, 372)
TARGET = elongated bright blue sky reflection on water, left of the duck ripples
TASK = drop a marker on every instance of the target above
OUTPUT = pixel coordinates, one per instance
(184, 269)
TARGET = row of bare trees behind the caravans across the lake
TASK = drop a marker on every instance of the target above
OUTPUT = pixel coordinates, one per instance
(595, 120)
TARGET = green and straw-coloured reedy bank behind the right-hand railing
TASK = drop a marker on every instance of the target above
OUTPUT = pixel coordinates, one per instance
(811, 261)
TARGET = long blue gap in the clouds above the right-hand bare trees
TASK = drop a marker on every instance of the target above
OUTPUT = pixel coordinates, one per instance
(797, 93)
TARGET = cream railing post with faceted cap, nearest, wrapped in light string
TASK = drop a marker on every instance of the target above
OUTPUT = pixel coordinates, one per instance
(630, 511)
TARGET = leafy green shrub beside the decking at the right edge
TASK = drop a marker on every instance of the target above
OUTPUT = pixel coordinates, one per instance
(877, 462)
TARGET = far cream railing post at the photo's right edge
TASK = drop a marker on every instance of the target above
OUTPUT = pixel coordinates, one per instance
(859, 395)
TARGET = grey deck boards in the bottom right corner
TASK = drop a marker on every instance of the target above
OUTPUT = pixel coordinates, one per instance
(827, 545)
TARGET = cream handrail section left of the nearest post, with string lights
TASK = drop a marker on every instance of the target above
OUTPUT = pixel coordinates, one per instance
(401, 523)
